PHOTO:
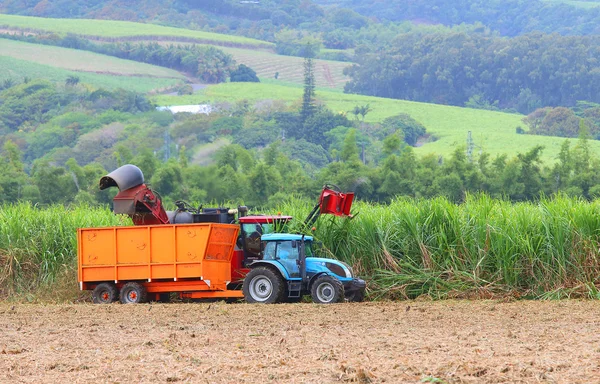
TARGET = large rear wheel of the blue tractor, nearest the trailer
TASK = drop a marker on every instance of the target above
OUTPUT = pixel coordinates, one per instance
(263, 285)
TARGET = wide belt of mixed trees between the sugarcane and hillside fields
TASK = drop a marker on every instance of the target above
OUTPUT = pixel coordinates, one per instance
(68, 136)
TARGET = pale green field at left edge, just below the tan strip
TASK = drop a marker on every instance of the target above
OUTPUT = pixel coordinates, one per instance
(17, 69)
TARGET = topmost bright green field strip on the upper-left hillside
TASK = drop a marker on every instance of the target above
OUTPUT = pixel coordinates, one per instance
(119, 29)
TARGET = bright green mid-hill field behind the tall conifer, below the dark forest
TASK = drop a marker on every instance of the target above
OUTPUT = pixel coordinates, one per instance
(492, 132)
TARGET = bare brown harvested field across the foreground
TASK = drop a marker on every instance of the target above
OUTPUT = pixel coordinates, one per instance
(412, 342)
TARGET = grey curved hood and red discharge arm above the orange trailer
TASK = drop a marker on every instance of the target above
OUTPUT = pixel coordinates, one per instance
(134, 199)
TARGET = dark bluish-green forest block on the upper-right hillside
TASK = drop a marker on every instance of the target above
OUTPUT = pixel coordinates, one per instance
(458, 68)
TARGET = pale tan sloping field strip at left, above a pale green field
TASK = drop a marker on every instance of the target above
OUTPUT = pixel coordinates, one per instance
(76, 60)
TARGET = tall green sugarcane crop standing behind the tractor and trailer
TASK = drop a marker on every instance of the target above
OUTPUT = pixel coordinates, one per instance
(481, 248)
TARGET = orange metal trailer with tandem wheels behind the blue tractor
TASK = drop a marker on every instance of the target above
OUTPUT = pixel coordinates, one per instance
(147, 261)
